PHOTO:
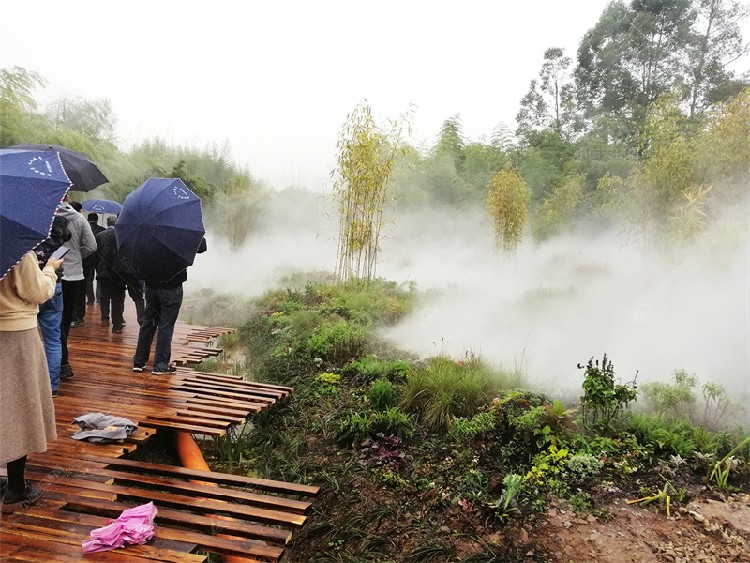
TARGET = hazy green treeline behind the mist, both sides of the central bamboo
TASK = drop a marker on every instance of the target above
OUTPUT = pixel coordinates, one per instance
(649, 127)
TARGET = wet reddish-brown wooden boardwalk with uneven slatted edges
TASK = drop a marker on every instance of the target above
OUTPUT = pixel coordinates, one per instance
(199, 512)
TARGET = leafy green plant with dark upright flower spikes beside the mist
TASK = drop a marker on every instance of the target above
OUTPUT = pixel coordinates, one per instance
(603, 400)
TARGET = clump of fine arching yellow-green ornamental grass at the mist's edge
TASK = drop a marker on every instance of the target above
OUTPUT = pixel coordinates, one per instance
(444, 389)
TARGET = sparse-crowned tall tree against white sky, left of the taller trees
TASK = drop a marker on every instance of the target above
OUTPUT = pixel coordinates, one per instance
(550, 101)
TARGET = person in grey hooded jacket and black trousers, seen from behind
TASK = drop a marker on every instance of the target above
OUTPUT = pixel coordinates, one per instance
(81, 244)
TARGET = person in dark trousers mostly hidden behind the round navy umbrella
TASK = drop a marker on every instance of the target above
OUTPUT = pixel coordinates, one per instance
(163, 302)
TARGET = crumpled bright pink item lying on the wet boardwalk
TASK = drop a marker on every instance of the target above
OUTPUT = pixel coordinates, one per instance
(133, 526)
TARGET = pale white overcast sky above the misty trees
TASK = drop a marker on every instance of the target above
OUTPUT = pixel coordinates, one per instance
(277, 79)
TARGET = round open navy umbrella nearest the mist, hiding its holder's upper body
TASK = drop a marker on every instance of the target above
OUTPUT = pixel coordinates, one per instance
(159, 229)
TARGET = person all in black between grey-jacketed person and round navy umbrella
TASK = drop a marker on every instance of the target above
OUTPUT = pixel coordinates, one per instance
(111, 284)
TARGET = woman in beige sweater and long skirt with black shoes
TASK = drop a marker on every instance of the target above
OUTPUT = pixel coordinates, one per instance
(27, 415)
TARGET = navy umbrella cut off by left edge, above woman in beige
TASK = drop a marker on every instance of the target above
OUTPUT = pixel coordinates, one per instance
(32, 184)
